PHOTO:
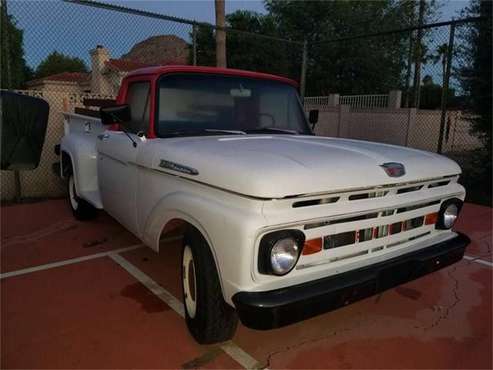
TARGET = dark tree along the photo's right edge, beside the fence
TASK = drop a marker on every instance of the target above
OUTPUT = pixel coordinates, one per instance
(474, 57)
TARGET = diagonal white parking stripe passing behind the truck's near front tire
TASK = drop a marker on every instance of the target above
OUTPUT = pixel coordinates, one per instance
(235, 352)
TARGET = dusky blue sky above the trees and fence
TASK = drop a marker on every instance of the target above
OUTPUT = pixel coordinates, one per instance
(74, 29)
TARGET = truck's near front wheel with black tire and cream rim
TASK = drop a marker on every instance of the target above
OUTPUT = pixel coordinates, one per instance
(209, 318)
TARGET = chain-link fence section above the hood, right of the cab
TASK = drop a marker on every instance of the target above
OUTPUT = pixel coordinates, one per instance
(409, 87)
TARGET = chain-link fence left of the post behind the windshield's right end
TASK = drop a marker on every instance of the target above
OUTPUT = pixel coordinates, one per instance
(73, 50)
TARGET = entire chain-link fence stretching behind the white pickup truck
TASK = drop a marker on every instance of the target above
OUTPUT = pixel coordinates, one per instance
(406, 87)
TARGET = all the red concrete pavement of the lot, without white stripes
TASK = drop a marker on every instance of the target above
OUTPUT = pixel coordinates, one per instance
(95, 315)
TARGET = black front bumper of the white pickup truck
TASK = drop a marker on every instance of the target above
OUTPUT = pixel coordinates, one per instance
(276, 308)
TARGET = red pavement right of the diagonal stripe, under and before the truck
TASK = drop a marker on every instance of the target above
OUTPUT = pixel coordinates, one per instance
(442, 320)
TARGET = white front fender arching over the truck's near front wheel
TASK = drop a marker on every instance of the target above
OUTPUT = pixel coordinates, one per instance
(228, 223)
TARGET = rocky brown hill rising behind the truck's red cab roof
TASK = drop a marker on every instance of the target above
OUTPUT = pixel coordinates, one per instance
(164, 49)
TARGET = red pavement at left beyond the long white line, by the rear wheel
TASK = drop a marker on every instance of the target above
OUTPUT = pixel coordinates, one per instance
(45, 232)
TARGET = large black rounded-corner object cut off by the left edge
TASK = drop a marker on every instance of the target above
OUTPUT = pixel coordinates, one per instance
(22, 129)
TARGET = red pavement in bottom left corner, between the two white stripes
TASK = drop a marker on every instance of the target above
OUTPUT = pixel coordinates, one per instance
(93, 315)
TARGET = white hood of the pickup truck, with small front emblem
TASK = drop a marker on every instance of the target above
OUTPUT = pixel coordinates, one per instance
(278, 166)
